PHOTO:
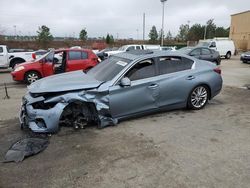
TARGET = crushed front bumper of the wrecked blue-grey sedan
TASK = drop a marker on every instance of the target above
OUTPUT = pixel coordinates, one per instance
(40, 120)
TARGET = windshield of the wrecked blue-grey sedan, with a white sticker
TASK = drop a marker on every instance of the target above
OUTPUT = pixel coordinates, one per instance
(109, 68)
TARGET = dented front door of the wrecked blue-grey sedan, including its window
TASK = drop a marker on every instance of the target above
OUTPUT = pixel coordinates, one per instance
(140, 96)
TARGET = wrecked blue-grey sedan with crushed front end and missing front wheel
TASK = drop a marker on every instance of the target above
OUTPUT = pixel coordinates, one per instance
(125, 85)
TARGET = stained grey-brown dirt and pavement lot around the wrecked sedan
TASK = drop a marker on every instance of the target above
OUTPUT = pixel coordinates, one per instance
(206, 148)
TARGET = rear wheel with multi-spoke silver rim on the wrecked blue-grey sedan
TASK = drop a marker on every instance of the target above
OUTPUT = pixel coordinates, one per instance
(198, 97)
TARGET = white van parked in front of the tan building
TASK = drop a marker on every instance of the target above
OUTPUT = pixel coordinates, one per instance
(224, 46)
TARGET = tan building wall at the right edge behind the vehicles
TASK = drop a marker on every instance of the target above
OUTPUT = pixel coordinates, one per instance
(240, 30)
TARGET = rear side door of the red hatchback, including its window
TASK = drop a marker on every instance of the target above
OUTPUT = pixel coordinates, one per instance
(77, 60)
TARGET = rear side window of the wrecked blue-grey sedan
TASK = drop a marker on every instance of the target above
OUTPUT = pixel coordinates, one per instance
(169, 65)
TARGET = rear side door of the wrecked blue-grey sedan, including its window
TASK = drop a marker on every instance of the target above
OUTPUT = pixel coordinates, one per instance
(175, 79)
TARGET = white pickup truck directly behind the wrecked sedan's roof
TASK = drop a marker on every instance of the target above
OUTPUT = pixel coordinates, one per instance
(132, 47)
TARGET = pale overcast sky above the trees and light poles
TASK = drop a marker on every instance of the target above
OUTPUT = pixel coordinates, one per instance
(117, 17)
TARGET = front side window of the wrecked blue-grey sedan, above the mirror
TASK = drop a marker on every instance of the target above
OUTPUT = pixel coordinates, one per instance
(142, 70)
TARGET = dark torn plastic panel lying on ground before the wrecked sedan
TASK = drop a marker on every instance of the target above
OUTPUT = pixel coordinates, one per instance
(25, 148)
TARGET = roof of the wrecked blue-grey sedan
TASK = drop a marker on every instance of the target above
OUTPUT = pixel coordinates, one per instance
(139, 54)
